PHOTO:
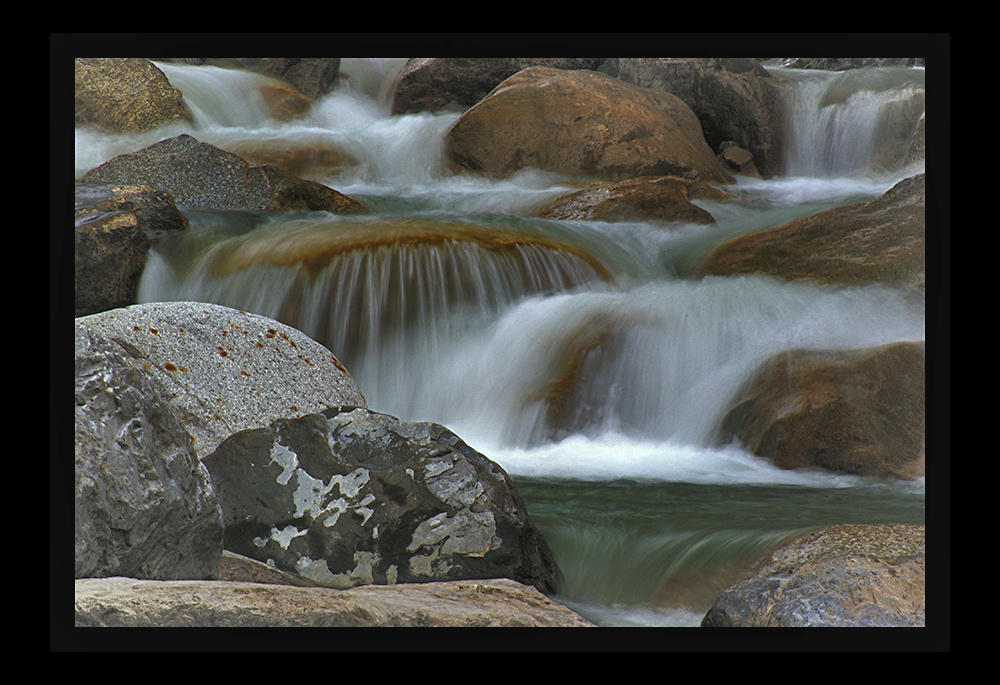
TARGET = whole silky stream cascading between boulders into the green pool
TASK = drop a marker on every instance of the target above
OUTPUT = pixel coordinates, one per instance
(578, 355)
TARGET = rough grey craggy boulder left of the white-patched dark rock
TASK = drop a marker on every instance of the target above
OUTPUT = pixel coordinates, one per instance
(144, 503)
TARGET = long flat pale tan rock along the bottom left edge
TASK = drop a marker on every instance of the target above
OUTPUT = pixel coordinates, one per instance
(126, 602)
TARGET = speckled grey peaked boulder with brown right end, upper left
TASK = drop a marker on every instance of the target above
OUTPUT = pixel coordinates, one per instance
(200, 175)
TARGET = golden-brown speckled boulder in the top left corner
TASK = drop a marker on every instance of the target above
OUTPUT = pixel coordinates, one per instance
(125, 95)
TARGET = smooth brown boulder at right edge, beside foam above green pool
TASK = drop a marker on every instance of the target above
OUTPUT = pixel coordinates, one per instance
(856, 411)
